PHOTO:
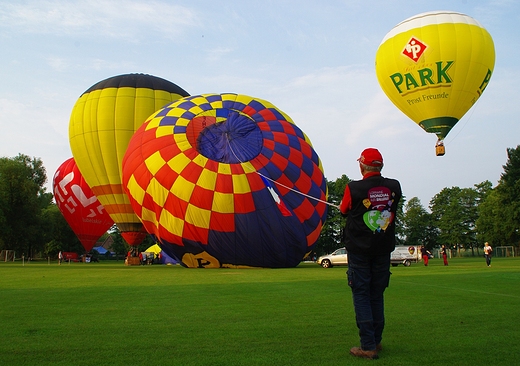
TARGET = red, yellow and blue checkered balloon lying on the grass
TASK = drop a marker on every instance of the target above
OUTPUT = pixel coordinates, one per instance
(226, 180)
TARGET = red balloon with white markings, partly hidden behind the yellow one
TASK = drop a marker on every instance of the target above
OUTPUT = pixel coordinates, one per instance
(80, 207)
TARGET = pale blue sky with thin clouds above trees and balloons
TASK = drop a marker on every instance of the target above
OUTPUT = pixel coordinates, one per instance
(314, 60)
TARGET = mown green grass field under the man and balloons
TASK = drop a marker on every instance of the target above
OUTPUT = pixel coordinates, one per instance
(110, 314)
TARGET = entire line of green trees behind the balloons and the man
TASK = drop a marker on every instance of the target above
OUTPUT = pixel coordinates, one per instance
(460, 218)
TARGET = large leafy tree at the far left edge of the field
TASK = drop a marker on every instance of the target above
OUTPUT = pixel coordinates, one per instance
(22, 197)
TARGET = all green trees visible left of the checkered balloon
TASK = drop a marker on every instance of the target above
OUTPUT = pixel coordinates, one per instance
(30, 222)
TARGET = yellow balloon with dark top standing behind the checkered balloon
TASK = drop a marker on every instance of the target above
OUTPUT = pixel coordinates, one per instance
(102, 122)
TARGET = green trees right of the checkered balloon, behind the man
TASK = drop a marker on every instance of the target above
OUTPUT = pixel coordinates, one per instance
(460, 218)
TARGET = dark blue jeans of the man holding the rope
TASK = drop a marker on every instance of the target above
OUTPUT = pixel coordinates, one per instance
(369, 276)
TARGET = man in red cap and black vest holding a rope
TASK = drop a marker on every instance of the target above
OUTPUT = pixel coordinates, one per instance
(370, 206)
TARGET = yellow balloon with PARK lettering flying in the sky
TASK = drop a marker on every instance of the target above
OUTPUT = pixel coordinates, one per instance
(434, 66)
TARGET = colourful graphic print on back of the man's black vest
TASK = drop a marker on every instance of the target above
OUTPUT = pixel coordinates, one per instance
(379, 203)
